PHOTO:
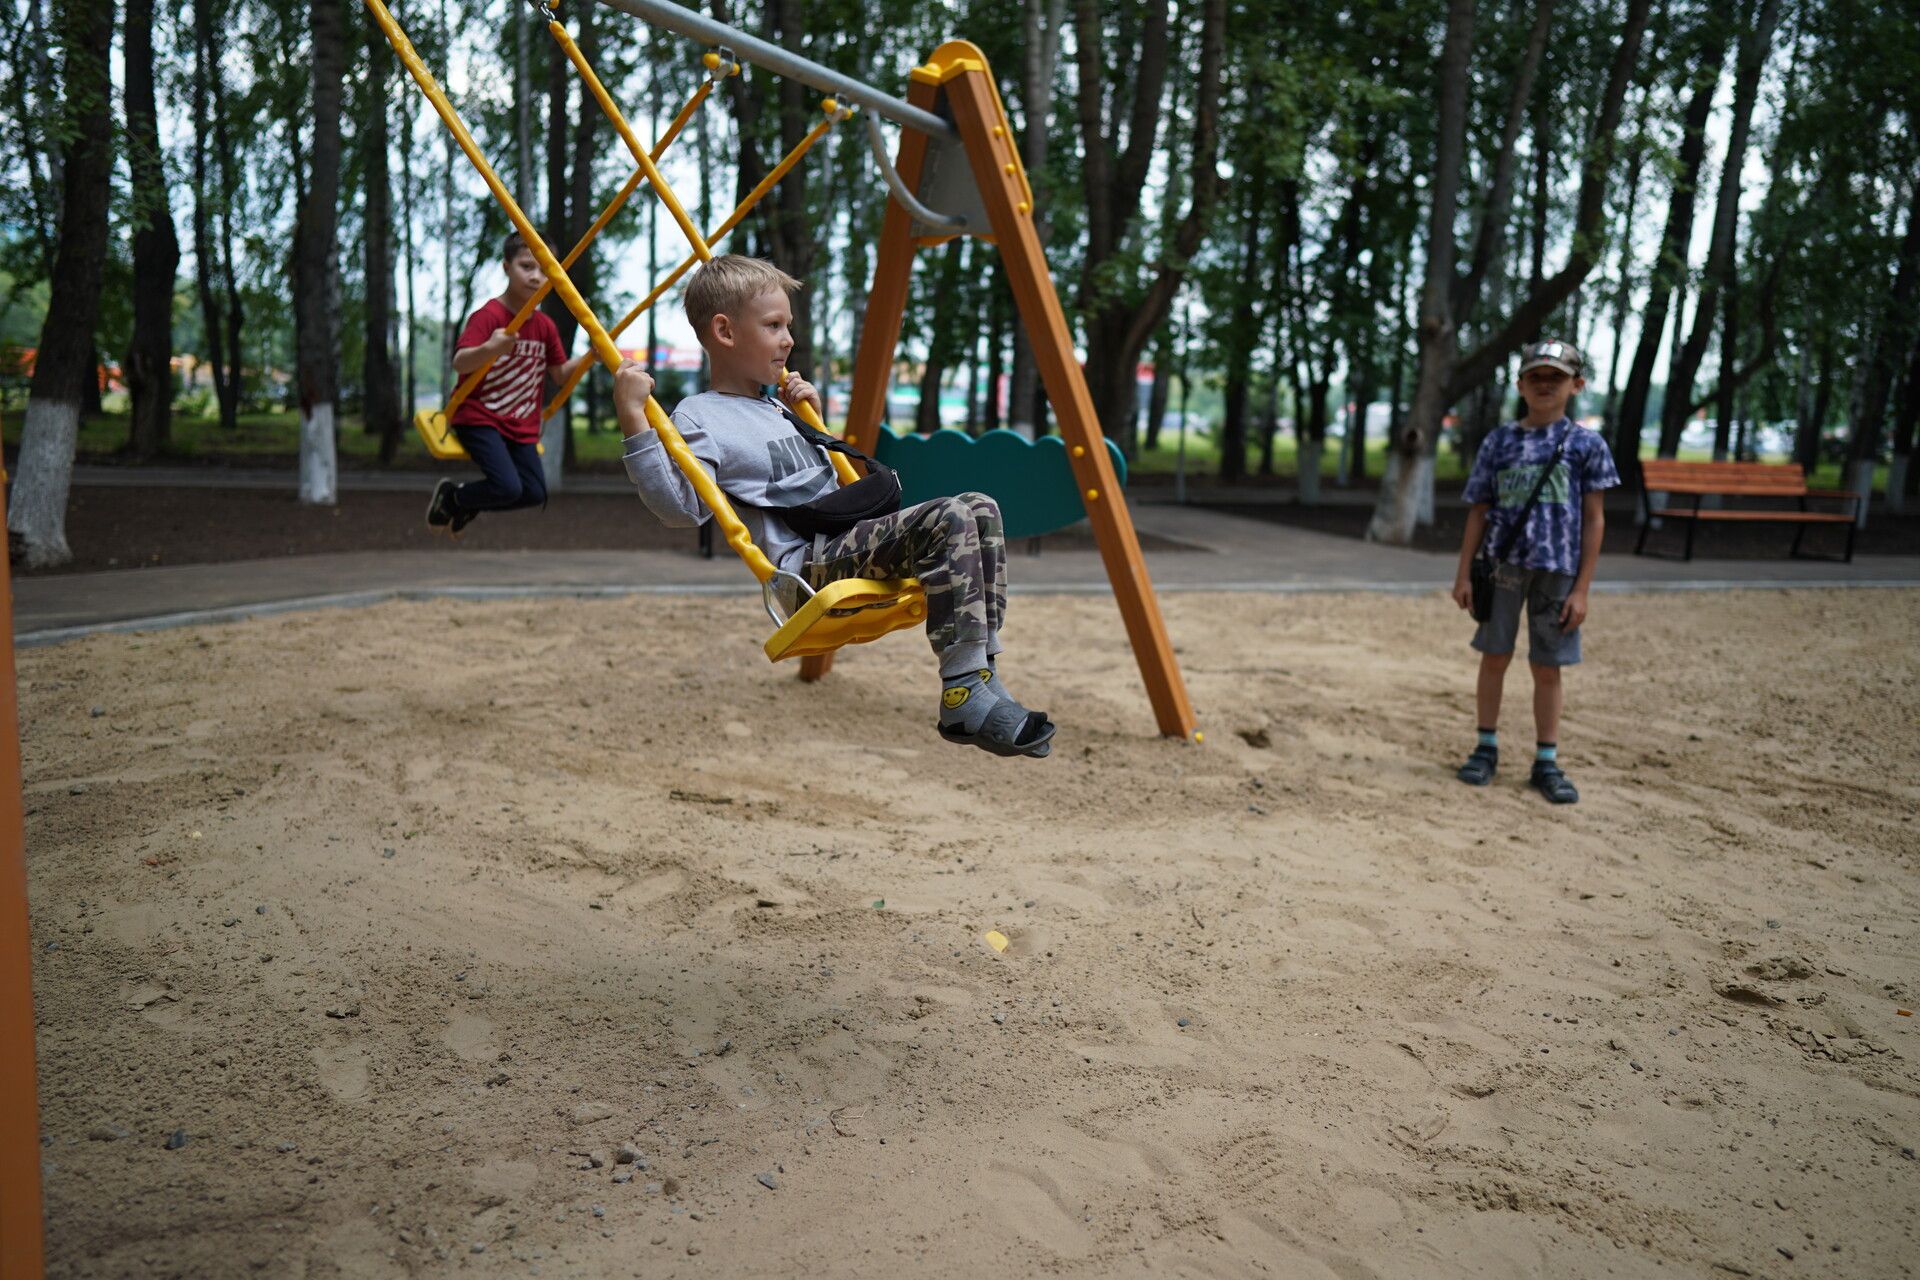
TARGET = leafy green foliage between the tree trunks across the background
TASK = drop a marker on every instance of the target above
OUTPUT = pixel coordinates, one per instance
(1307, 270)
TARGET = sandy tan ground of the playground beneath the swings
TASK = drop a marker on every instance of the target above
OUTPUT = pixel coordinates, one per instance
(366, 941)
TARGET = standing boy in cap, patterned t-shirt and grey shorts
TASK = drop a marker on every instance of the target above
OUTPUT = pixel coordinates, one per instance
(1545, 554)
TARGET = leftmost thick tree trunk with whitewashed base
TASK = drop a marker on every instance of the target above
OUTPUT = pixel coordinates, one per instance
(64, 366)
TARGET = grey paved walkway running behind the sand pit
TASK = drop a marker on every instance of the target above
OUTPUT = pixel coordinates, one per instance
(1205, 552)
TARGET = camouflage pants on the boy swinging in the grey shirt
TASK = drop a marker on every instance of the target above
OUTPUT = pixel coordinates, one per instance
(957, 550)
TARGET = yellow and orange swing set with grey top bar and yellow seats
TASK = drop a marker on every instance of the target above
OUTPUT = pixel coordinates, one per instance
(972, 162)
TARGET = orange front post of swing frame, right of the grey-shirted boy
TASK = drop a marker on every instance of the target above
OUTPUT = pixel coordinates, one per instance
(996, 160)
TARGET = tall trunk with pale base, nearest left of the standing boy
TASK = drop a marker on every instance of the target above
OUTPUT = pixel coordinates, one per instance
(1410, 460)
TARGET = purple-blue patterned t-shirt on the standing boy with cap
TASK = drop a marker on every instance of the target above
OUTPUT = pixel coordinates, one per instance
(1504, 475)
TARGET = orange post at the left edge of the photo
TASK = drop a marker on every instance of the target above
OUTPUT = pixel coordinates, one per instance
(22, 1248)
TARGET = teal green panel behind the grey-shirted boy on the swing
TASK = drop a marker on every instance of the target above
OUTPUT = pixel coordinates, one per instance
(1032, 481)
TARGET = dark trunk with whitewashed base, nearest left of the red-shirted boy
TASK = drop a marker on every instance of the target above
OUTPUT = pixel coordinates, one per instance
(316, 273)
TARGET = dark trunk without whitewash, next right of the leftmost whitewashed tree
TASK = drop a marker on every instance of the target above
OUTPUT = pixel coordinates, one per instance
(156, 252)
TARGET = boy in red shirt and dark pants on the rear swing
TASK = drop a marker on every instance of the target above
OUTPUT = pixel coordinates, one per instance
(500, 423)
